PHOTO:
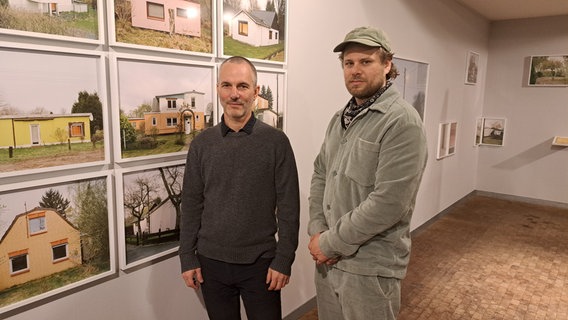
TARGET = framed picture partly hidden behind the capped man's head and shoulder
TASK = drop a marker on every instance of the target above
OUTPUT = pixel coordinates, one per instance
(412, 82)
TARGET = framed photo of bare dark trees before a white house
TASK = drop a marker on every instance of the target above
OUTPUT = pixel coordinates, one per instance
(149, 209)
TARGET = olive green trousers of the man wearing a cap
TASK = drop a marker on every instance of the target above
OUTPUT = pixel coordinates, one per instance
(346, 296)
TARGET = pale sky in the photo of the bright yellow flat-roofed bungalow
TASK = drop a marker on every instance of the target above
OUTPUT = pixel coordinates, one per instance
(32, 80)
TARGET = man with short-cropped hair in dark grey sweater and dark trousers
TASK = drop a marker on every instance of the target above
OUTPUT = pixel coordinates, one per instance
(240, 190)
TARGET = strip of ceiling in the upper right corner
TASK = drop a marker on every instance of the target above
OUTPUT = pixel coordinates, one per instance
(517, 9)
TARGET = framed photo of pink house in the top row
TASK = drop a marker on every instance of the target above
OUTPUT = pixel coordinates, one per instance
(164, 25)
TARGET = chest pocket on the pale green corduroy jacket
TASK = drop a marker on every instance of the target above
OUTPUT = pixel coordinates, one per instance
(362, 162)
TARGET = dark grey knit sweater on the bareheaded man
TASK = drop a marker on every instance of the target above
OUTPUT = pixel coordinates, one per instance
(239, 191)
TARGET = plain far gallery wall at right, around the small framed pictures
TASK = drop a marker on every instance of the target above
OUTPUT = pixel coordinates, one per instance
(527, 165)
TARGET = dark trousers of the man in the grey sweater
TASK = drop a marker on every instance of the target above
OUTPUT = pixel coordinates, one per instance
(224, 283)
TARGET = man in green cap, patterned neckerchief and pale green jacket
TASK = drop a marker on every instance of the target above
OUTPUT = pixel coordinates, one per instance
(364, 185)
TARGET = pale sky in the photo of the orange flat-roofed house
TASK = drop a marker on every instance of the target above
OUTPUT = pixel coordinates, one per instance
(139, 82)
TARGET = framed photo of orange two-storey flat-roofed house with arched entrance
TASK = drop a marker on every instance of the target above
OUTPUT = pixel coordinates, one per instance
(158, 107)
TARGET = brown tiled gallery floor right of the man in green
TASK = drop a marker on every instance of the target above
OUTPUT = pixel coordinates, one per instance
(489, 258)
